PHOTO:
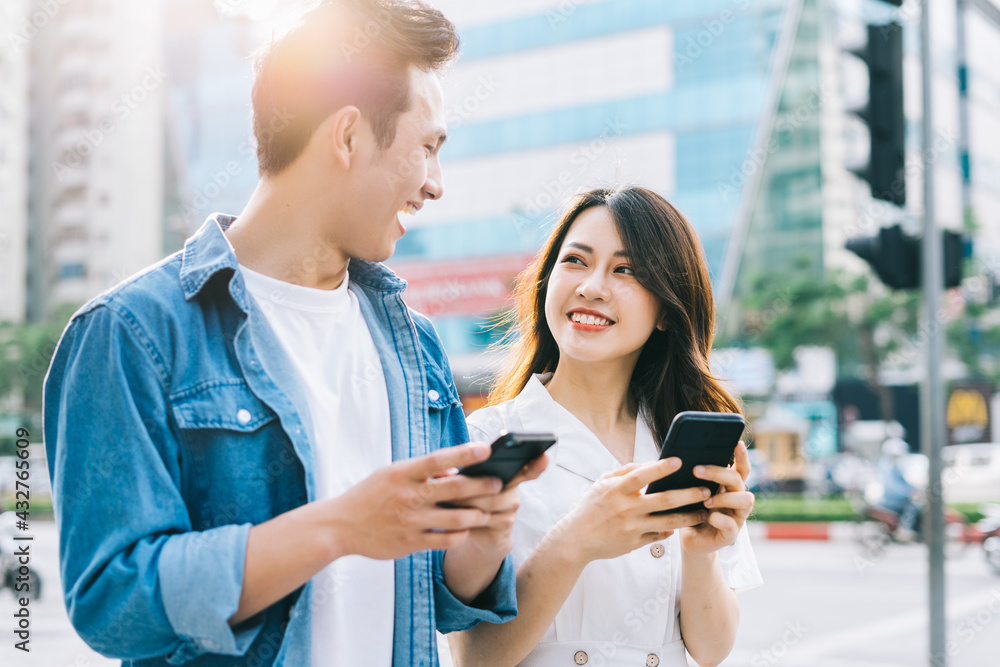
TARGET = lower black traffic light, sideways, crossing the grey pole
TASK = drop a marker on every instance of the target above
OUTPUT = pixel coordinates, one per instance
(895, 257)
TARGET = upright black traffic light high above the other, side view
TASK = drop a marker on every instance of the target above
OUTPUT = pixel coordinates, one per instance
(883, 54)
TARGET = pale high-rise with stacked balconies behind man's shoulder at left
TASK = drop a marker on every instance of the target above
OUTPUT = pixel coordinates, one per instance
(97, 147)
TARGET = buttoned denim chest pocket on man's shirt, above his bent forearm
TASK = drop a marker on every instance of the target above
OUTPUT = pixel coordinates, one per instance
(240, 461)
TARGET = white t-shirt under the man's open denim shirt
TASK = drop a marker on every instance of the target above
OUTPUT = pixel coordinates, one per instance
(328, 341)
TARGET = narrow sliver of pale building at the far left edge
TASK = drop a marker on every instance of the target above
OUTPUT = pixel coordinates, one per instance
(14, 112)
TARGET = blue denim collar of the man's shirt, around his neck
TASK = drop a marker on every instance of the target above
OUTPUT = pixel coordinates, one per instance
(208, 252)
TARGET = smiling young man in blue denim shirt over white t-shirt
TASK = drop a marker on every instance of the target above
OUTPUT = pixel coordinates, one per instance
(243, 437)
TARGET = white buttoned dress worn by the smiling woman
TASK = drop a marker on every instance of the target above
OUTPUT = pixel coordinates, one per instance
(622, 611)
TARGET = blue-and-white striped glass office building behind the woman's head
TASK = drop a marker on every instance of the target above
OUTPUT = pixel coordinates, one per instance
(715, 105)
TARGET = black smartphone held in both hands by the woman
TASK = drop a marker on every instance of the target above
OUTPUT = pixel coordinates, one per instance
(698, 438)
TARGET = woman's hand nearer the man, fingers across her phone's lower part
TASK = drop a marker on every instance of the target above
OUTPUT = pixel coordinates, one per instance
(614, 517)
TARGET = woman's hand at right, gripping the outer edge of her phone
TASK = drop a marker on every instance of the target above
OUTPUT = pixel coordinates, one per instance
(728, 509)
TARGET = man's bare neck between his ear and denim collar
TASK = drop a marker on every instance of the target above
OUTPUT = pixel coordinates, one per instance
(278, 234)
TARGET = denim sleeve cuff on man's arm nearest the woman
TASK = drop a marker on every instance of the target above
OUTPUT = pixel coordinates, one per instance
(496, 604)
